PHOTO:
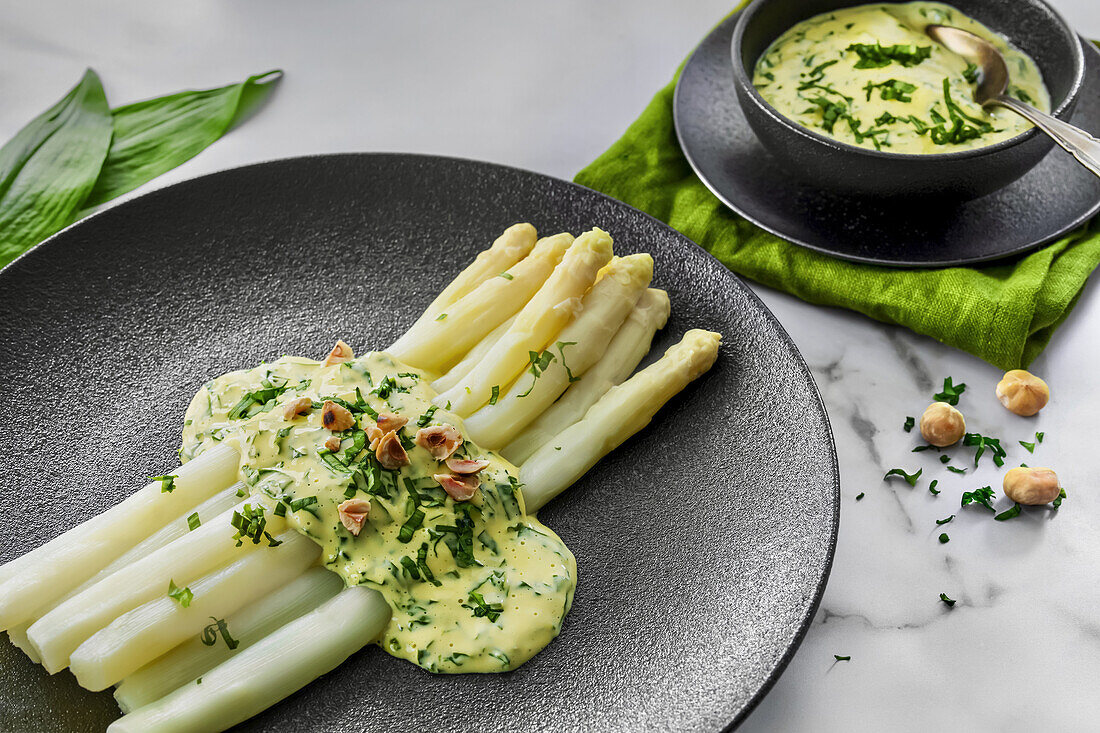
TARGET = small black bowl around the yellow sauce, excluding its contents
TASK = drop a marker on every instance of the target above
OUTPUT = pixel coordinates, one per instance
(1031, 26)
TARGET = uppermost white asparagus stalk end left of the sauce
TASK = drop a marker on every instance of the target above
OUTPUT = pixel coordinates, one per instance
(40, 578)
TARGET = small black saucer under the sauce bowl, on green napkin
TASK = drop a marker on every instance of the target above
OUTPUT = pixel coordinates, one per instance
(1053, 199)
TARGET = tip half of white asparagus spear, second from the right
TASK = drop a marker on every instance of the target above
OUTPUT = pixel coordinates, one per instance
(626, 351)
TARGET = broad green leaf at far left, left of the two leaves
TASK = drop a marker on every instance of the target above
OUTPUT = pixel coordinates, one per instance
(50, 167)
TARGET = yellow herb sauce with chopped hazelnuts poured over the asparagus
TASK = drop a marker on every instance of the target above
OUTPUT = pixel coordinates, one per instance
(358, 458)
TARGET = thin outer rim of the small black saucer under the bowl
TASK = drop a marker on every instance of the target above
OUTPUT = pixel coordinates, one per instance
(920, 265)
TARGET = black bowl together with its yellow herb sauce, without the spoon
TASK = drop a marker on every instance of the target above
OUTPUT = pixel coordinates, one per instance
(857, 99)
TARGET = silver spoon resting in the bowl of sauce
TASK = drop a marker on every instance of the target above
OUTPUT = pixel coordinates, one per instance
(995, 81)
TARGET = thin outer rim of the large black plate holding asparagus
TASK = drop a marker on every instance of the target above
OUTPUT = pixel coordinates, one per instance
(47, 248)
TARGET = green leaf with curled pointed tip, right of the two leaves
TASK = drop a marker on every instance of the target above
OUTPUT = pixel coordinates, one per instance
(156, 136)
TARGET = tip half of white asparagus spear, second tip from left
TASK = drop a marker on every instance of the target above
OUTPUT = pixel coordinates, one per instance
(439, 344)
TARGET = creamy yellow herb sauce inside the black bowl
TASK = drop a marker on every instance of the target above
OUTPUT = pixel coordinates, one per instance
(871, 76)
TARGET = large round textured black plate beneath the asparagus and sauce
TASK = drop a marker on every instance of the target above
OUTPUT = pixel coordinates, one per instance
(703, 544)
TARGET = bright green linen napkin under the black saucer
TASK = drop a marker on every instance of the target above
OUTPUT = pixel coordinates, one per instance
(1005, 314)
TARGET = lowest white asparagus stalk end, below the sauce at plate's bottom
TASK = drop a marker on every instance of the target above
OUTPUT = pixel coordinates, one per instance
(269, 671)
